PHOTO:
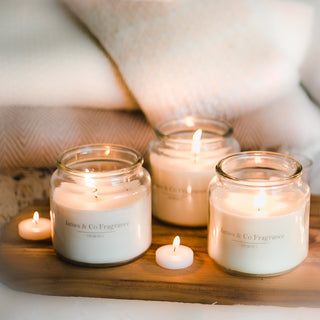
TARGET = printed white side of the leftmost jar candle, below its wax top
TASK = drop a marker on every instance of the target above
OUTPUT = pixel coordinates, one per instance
(102, 236)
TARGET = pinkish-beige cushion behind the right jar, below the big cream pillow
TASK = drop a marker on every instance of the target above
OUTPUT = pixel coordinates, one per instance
(290, 121)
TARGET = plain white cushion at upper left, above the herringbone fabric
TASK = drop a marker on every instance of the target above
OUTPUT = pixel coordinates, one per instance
(48, 59)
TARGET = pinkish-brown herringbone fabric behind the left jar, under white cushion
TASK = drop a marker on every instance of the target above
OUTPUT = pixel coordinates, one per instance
(34, 136)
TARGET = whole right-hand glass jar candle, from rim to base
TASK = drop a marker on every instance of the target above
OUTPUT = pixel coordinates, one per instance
(259, 214)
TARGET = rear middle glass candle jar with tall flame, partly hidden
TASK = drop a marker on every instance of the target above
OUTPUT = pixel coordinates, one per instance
(182, 162)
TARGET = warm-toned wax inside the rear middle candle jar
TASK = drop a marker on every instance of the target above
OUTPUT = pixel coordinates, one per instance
(180, 187)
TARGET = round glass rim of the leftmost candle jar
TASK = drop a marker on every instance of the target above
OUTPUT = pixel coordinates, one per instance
(103, 152)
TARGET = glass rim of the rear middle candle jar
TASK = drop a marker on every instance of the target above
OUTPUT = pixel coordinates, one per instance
(167, 128)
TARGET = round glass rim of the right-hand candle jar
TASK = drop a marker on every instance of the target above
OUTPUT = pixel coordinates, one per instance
(255, 155)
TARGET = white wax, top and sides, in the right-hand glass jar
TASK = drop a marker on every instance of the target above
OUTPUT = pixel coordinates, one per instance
(267, 241)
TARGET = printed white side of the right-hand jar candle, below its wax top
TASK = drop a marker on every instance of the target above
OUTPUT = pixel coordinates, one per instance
(258, 245)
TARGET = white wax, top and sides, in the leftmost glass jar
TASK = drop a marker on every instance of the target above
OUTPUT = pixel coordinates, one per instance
(103, 229)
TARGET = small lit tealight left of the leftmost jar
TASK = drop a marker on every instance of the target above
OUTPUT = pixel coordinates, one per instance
(35, 228)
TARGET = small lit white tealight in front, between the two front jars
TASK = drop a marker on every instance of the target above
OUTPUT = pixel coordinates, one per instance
(174, 256)
